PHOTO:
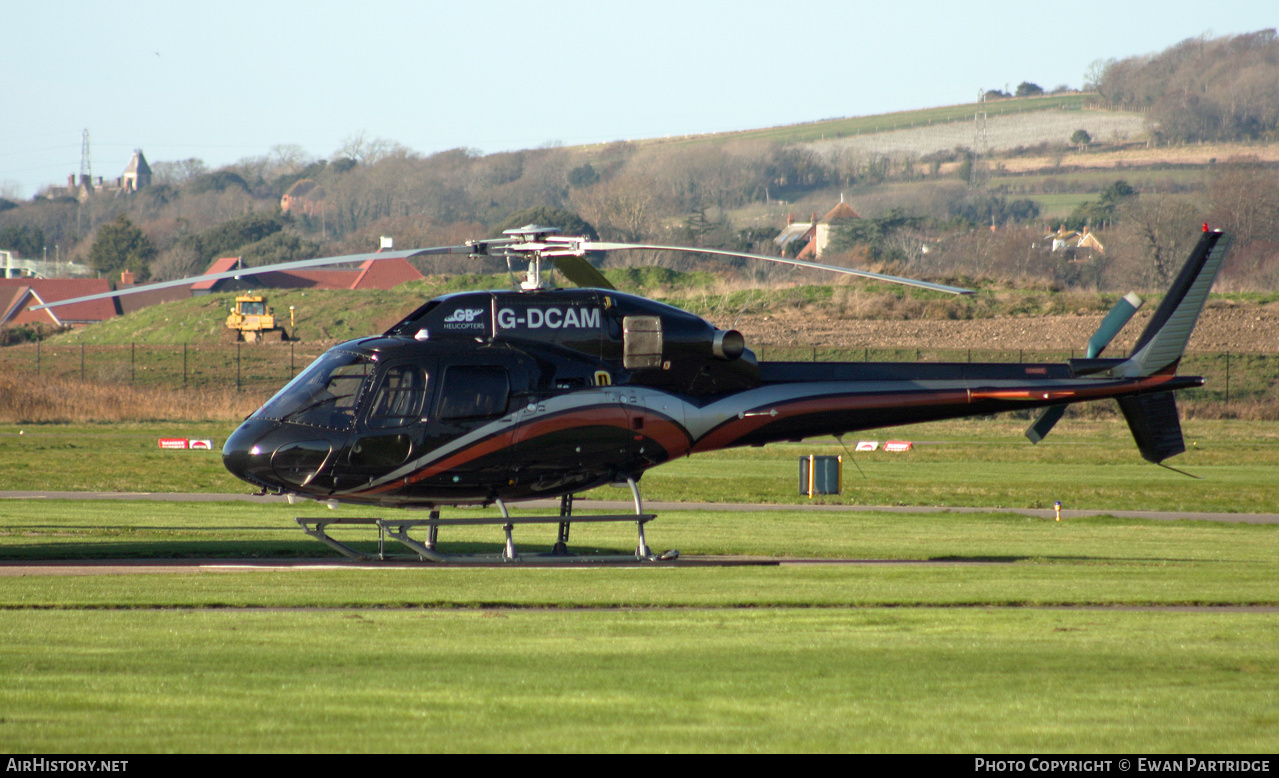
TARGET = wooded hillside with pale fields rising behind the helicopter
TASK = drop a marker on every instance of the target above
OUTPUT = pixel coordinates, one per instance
(934, 179)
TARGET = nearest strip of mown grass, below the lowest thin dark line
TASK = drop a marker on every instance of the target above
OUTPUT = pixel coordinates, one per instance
(1025, 681)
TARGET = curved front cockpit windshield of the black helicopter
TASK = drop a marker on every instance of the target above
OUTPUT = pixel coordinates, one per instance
(324, 395)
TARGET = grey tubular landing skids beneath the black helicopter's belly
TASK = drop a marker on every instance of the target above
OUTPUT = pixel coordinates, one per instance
(425, 551)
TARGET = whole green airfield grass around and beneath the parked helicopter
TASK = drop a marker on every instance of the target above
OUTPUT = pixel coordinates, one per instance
(970, 633)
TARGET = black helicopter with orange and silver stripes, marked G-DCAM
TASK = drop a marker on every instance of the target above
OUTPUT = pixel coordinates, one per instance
(540, 392)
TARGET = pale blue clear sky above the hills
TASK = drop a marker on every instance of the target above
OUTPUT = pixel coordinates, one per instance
(227, 81)
